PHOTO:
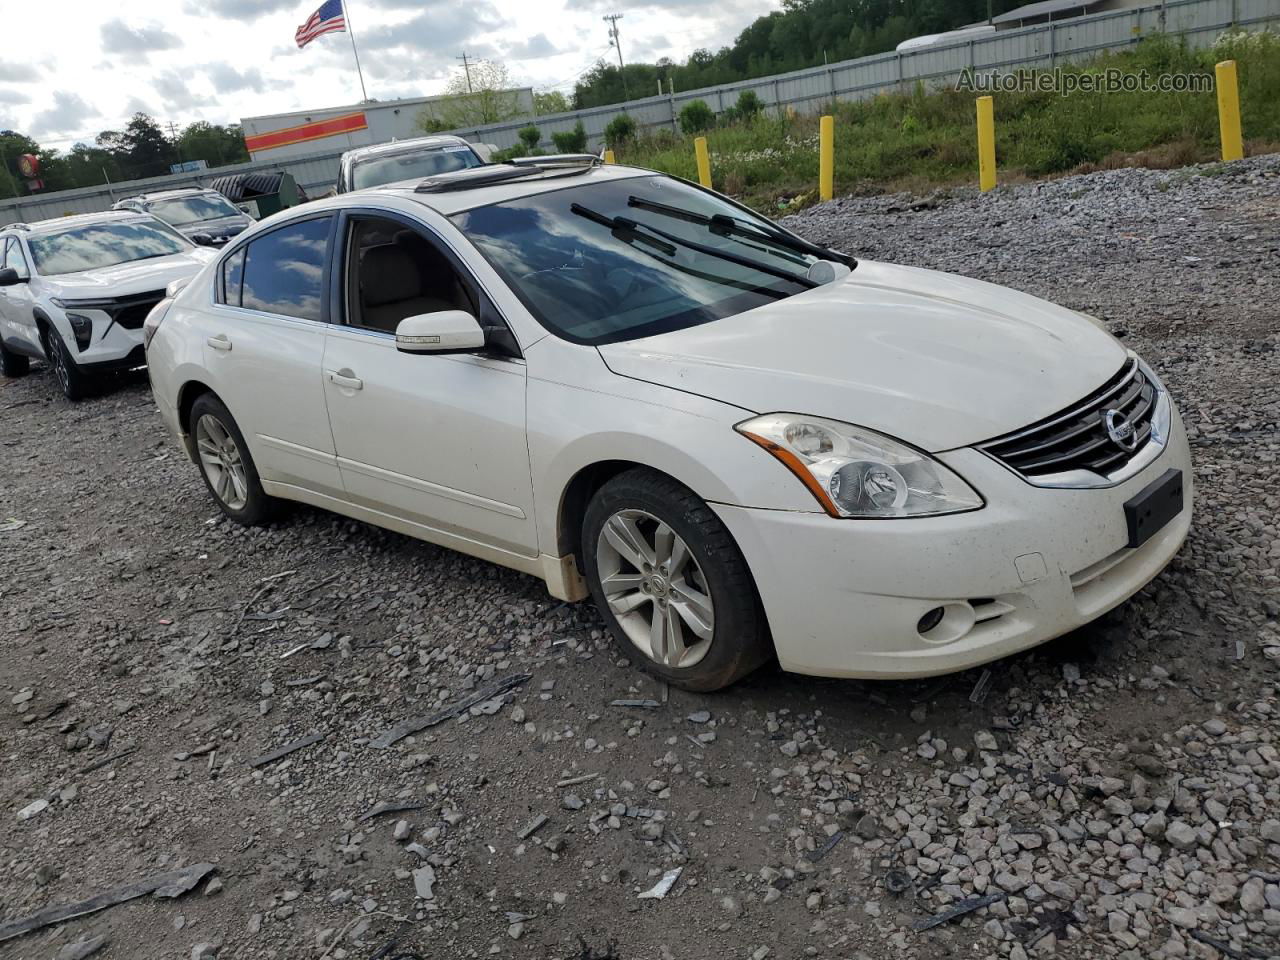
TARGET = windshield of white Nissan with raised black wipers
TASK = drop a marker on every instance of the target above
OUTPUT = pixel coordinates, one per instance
(614, 262)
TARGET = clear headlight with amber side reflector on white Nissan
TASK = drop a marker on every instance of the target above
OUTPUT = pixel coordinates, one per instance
(857, 473)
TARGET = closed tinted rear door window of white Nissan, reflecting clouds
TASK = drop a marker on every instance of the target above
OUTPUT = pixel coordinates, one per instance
(285, 271)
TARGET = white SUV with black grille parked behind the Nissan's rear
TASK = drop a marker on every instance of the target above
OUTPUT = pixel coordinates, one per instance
(75, 291)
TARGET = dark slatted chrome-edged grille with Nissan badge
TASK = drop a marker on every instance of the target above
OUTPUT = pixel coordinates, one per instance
(1078, 438)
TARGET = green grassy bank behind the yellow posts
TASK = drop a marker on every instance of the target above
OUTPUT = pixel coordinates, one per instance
(927, 139)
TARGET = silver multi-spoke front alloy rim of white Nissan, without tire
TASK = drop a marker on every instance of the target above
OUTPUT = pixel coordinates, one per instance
(656, 589)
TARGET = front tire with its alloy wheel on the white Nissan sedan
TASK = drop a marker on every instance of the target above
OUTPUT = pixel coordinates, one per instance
(719, 642)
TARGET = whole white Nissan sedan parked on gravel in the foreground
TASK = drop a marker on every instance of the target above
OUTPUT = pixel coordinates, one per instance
(740, 444)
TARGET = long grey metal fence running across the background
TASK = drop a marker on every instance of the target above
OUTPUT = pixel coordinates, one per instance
(1040, 47)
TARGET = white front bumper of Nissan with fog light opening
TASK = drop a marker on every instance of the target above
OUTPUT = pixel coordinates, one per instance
(844, 597)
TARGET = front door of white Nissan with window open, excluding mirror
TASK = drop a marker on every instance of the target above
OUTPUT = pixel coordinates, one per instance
(436, 440)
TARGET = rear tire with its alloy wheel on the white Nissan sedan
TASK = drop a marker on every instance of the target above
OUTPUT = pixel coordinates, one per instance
(227, 465)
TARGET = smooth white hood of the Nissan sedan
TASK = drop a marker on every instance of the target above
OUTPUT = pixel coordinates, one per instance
(932, 359)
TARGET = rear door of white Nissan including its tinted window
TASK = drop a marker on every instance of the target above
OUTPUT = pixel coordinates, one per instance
(264, 349)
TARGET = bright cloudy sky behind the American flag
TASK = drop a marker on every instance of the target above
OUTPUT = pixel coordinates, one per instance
(77, 68)
